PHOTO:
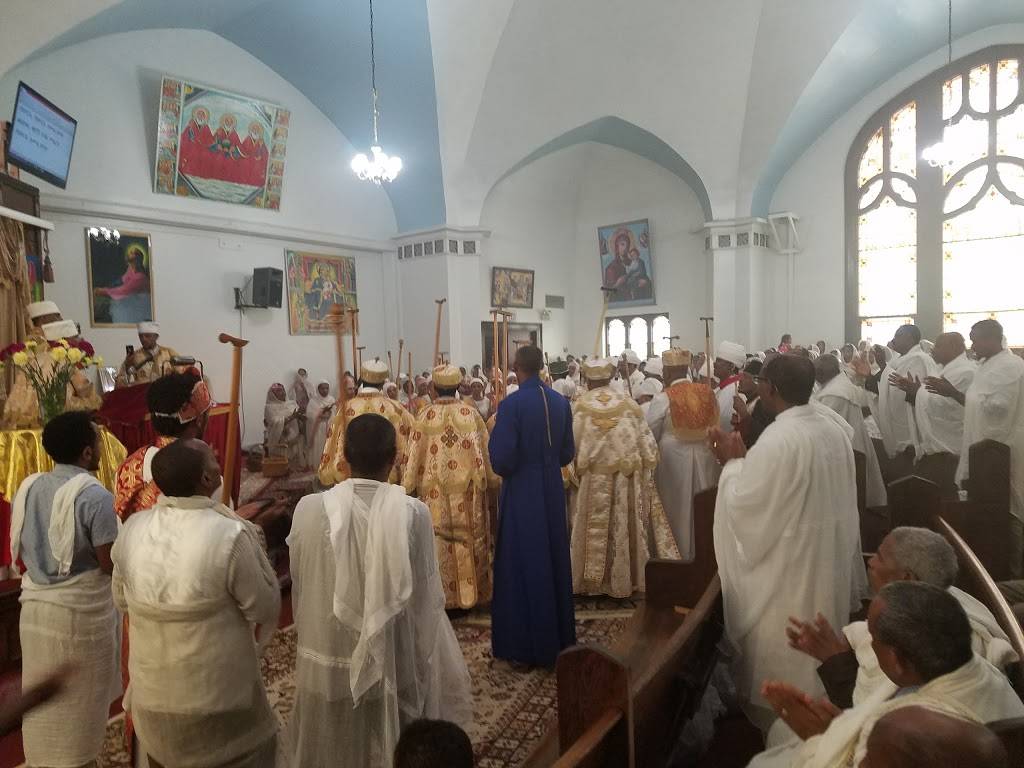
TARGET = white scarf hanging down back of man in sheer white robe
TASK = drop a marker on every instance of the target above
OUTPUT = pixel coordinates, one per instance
(374, 576)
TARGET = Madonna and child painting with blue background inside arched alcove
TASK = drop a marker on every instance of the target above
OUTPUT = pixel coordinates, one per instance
(627, 264)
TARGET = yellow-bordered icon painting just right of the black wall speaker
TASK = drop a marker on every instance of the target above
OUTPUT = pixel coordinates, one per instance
(316, 283)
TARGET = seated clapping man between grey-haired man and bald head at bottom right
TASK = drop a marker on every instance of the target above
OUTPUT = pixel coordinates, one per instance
(923, 643)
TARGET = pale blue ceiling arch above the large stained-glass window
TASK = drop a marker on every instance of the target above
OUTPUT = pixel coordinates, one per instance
(885, 37)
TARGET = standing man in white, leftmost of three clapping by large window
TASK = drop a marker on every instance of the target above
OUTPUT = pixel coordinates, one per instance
(895, 415)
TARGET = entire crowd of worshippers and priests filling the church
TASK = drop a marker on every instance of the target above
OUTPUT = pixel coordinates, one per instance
(465, 489)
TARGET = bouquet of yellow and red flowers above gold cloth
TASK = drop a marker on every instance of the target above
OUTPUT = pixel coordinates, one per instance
(50, 368)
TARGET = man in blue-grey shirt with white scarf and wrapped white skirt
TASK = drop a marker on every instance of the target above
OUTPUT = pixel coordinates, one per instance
(63, 528)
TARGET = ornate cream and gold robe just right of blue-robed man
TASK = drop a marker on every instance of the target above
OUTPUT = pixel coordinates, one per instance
(616, 517)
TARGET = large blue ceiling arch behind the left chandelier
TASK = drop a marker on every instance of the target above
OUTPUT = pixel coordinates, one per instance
(323, 49)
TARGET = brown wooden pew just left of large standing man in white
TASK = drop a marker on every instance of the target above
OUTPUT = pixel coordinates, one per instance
(627, 706)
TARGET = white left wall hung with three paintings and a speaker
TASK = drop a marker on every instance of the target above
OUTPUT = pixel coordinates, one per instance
(111, 86)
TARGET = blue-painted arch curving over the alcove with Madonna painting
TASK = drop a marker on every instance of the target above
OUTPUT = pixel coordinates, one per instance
(625, 136)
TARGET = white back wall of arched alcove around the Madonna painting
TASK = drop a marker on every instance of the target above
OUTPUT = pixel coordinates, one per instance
(545, 218)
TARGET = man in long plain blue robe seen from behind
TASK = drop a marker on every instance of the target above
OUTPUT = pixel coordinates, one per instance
(533, 617)
